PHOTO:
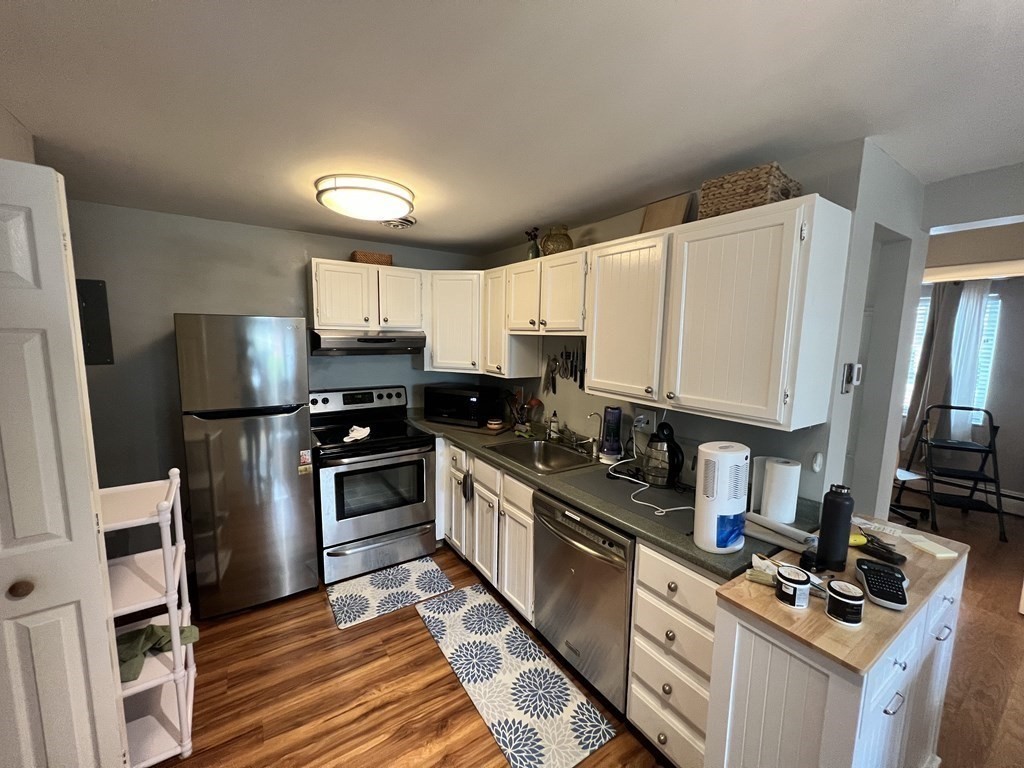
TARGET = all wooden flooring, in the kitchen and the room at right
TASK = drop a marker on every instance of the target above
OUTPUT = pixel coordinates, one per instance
(283, 687)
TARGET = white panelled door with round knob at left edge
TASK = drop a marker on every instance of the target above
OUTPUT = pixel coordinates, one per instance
(58, 690)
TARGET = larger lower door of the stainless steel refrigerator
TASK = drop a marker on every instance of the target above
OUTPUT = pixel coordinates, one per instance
(253, 525)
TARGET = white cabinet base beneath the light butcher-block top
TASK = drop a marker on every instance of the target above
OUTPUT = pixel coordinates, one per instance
(775, 702)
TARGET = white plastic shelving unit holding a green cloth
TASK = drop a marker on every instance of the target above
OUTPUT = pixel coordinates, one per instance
(158, 706)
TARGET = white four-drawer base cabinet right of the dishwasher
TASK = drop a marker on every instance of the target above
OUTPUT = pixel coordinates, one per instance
(671, 656)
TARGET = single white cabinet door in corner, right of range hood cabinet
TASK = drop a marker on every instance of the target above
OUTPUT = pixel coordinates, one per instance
(455, 343)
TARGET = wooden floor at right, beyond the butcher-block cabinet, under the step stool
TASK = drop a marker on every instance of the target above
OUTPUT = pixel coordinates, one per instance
(984, 719)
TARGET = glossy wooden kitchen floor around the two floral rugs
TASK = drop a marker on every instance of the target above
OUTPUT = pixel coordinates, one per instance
(283, 687)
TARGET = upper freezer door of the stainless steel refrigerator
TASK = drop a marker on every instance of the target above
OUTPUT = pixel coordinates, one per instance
(229, 362)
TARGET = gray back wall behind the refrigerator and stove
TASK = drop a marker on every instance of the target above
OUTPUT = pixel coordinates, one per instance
(157, 265)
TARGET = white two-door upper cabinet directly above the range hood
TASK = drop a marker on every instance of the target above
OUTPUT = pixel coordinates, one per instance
(348, 294)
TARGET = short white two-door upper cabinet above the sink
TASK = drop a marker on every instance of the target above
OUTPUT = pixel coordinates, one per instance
(547, 295)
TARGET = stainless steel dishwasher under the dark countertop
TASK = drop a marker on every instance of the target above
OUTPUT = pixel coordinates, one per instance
(583, 572)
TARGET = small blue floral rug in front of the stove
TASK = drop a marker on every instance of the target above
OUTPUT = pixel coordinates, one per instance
(383, 591)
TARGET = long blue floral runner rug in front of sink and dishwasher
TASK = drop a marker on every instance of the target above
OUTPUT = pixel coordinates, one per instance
(536, 714)
